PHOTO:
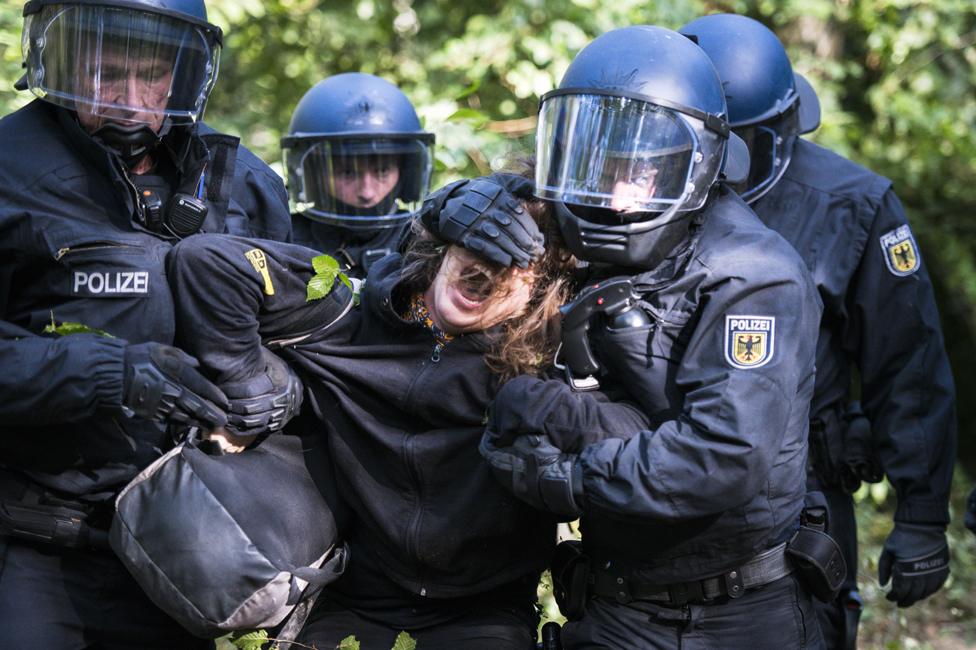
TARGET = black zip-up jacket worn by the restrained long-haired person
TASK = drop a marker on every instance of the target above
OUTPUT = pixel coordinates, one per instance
(403, 423)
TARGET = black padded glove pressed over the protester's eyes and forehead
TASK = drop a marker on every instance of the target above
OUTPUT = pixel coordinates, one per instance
(484, 216)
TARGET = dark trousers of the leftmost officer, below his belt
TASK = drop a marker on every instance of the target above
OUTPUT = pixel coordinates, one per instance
(72, 599)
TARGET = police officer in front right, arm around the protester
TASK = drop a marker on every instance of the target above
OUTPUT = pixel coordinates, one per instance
(684, 522)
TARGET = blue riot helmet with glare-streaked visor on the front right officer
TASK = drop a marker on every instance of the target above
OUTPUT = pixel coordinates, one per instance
(632, 143)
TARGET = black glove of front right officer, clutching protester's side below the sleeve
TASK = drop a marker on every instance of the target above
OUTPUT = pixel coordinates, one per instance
(538, 473)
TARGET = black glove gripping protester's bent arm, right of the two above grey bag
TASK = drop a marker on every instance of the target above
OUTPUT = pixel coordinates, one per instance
(266, 402)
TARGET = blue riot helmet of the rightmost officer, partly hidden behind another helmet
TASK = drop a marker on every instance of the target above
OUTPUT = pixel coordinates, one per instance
(769, 104)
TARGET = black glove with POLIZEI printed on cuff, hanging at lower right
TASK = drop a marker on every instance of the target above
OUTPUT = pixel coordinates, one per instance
(916, 558)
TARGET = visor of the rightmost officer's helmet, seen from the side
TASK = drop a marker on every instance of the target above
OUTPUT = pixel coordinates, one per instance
(770, 151)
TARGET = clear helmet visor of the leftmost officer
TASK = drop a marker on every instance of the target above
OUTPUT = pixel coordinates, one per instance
(120, 63)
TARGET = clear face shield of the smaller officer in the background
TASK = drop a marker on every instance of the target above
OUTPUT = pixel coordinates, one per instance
(359, 183)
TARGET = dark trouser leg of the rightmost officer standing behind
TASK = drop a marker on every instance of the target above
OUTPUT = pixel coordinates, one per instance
(843, 528)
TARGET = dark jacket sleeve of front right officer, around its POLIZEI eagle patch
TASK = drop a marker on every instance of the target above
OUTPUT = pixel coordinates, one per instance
(735, 423)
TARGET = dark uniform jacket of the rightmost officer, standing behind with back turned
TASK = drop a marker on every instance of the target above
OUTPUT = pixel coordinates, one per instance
(879, 315)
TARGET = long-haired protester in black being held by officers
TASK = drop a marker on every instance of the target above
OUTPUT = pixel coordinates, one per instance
(399, 383)
